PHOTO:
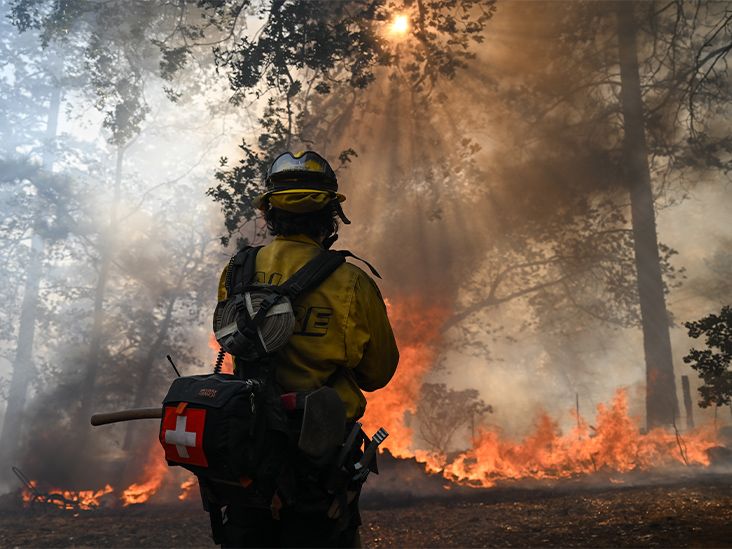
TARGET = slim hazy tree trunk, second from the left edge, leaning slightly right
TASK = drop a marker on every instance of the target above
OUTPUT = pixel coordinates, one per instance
(97, 333)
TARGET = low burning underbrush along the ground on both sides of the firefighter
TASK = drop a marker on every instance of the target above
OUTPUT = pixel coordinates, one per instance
(612, 451)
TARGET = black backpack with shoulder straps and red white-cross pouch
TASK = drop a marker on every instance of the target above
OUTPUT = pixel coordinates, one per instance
(230, 430)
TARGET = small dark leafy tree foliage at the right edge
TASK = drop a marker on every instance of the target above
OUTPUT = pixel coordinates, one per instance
(713, 364)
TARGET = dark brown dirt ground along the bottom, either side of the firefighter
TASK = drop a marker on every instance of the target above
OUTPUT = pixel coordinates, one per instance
(689, 513)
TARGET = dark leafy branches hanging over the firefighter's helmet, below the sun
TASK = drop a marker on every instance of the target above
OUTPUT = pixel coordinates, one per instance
(310, 61)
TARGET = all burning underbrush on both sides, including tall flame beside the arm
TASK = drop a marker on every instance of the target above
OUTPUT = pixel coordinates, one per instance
(610, 448)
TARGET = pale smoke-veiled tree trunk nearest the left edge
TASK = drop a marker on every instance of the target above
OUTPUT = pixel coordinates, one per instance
(23, 368)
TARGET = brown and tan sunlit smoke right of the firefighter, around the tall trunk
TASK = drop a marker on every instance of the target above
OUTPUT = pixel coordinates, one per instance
(495, 163)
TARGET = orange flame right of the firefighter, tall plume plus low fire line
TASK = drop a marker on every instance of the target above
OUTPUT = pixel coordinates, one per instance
(615, 445)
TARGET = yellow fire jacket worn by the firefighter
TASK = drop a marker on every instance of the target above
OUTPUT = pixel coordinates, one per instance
(342, 333)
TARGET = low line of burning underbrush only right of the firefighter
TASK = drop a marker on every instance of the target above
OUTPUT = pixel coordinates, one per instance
(612, 451)
